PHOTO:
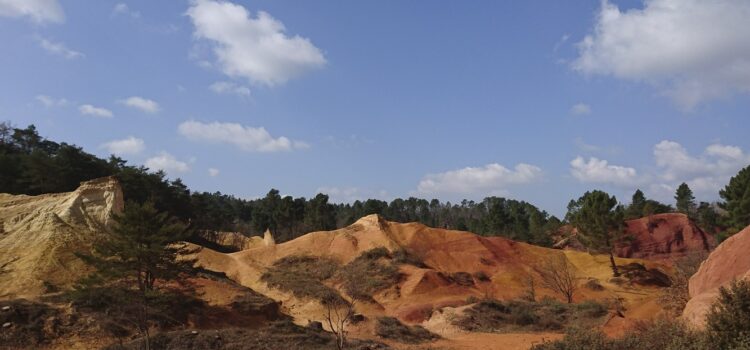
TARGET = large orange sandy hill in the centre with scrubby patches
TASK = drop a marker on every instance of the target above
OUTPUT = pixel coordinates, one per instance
(421, 290)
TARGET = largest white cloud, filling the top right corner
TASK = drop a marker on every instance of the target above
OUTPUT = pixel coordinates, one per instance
(691, 50)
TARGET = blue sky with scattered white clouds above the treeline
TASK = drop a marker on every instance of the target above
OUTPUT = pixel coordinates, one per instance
(533, 100)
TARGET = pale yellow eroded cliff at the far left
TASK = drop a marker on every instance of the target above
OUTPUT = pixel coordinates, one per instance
(39, 235)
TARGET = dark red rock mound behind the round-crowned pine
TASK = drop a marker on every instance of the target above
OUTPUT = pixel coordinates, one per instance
(663, 236)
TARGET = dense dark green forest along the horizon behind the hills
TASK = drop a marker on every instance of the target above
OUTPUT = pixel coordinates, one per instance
(31, 164)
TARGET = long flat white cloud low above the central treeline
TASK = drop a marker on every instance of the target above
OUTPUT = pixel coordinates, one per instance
(493, 178)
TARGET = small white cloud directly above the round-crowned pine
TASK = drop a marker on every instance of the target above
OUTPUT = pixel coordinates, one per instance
(599, 171)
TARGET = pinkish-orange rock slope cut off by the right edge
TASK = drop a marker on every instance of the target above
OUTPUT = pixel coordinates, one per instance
(729, 261)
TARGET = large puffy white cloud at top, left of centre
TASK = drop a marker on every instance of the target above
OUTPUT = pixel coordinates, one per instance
(257, 49)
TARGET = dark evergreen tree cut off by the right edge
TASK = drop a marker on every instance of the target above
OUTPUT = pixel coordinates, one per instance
(736, 196)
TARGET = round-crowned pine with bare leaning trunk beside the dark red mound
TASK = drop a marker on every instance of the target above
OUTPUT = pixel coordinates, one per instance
(599, 221)
